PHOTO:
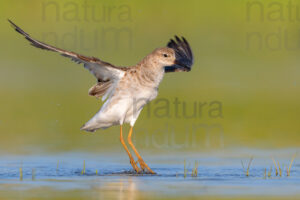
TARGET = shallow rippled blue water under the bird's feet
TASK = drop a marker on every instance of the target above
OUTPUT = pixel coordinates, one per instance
(220, 175)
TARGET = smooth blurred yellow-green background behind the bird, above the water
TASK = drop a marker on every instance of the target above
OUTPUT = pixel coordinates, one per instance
(245, 76)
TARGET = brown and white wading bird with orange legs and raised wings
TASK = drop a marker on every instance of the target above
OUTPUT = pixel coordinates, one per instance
(126, 90)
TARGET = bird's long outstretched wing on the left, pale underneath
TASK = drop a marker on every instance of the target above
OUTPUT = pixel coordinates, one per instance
(103, 71)
